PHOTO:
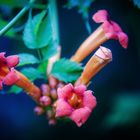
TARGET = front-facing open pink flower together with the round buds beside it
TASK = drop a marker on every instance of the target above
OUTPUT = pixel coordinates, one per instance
(74, 102)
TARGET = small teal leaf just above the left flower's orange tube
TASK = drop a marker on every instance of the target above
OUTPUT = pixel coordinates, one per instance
(31, 73)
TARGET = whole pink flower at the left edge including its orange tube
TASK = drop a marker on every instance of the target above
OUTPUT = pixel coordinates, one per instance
(10, 76)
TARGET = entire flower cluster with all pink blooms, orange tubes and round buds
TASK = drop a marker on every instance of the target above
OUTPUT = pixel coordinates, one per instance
(58, 99)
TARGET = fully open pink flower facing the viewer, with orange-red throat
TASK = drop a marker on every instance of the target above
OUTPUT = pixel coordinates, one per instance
(75, 103)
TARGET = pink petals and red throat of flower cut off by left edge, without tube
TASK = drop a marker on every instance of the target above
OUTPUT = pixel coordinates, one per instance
(8, 75)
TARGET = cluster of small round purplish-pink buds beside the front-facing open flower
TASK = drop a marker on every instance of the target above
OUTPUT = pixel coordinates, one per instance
(48, 97)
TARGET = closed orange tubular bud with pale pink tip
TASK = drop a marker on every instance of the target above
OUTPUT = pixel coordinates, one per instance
(100, 59)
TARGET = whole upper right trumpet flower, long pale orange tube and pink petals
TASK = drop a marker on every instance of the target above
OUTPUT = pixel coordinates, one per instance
(107, 30)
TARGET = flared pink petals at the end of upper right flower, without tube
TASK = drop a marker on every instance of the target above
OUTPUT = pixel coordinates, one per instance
(112, 29)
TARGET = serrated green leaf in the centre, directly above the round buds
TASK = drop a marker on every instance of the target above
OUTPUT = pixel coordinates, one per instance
(66, 70)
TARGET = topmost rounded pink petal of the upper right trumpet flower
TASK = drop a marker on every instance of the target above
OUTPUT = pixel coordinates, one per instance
(100, 16)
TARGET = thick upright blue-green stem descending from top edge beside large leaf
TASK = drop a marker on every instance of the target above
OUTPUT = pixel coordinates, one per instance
(54, 20)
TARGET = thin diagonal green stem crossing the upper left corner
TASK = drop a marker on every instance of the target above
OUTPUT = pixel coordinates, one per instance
(16, 18)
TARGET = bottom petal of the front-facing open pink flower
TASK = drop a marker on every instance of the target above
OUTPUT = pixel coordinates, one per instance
(80, 116)
